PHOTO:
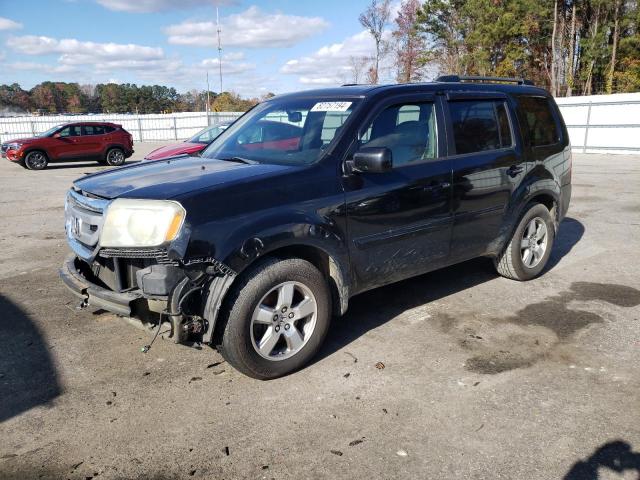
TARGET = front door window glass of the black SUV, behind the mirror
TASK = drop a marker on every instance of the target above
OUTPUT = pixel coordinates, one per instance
(408, 130)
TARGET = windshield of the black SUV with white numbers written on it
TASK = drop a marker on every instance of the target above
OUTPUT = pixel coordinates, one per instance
(288, 131)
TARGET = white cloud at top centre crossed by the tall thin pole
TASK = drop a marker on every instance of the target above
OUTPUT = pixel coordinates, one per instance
(251, 28)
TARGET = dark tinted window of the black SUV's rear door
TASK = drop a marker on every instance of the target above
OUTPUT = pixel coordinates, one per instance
(480, 125)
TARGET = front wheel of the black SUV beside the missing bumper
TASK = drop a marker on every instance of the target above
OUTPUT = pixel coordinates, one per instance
(258, 313)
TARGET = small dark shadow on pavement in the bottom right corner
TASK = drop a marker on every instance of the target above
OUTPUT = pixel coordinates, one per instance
(616, 456)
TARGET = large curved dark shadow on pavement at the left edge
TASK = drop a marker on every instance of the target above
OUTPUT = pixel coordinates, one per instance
(27, 374)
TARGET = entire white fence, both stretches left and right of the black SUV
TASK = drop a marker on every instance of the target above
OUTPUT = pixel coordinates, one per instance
(596, 124)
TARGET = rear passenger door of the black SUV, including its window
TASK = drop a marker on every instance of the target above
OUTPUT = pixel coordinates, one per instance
(487, 167)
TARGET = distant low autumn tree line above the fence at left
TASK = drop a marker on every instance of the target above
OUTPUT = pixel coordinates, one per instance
(61, 97)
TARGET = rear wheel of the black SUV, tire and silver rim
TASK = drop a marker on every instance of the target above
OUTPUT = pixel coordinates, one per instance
(529, 249)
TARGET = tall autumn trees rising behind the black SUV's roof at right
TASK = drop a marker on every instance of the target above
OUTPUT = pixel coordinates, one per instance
(571, 47)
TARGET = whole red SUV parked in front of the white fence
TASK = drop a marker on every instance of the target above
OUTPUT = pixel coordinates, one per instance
(107, 143)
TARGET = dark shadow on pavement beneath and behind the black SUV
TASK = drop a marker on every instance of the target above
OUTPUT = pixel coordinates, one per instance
(388, 302)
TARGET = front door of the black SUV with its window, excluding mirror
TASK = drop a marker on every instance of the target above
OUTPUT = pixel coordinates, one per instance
(399, 222)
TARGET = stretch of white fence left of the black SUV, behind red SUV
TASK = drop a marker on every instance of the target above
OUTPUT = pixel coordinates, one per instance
(158, 127)
